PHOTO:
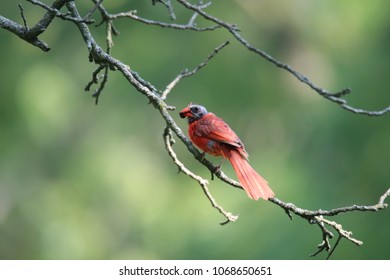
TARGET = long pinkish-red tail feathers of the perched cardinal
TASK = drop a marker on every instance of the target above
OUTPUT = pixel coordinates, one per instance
(255, 186)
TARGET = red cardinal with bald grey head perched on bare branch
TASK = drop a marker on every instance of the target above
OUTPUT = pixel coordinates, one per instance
(212, 135)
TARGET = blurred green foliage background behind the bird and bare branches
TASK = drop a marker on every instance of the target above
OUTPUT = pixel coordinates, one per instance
(79, 181)
